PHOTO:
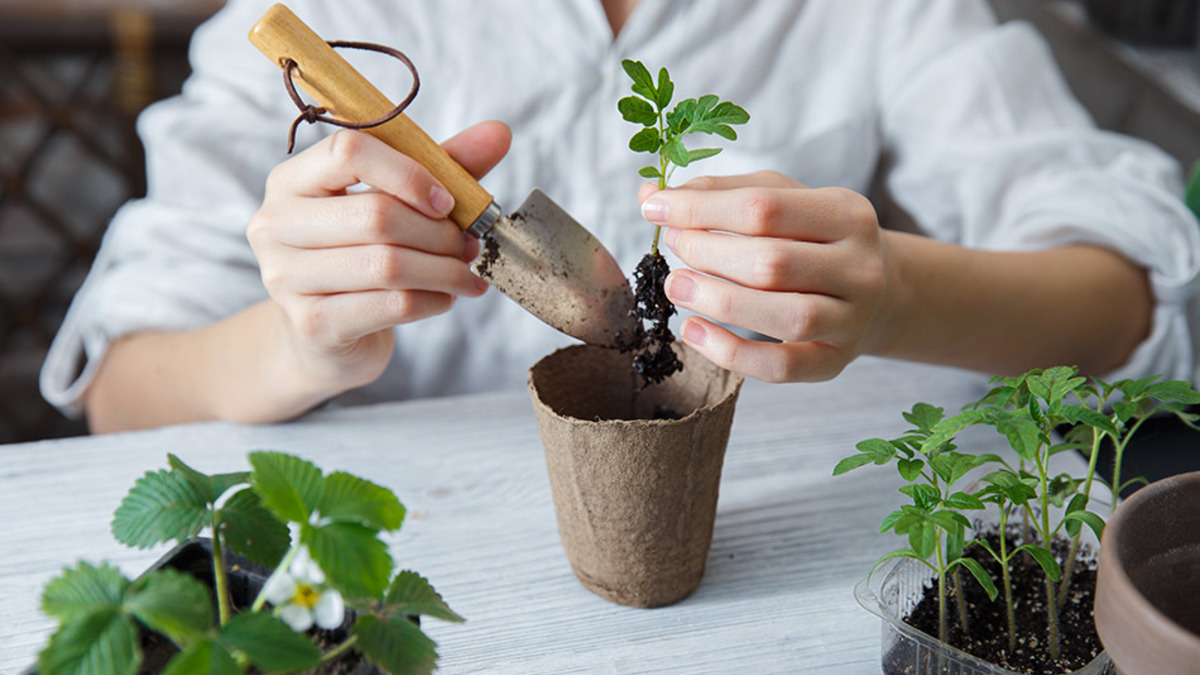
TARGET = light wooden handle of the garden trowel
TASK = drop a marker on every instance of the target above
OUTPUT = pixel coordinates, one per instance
(347, 95)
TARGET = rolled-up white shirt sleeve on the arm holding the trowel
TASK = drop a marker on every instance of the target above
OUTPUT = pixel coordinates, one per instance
(179, 258)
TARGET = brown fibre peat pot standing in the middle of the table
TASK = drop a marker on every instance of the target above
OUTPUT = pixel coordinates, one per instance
(635, 493)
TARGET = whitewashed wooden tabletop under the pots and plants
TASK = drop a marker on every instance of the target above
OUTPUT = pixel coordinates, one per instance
(790, 540)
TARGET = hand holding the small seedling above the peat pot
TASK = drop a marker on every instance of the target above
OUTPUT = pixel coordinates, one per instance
(805, 266)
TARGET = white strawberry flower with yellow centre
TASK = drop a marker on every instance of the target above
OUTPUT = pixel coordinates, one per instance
(301, 596)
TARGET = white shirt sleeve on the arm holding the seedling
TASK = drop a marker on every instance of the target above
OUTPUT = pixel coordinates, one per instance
(991, 151)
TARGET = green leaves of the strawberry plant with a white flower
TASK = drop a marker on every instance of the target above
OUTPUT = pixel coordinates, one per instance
(340, 519)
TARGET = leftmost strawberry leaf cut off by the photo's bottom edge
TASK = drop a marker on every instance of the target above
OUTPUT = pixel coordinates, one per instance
(99, 643)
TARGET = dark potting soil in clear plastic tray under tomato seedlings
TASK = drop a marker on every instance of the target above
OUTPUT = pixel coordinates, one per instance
(988, 626)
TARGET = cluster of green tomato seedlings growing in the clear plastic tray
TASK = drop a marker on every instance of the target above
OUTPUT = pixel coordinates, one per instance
(1029, 411)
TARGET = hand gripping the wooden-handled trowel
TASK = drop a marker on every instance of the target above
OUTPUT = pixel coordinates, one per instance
(345, 268)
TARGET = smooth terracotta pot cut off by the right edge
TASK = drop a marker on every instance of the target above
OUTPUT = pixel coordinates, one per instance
(1148, 596)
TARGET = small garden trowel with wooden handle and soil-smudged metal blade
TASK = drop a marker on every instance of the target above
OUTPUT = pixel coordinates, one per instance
(539, 256)
